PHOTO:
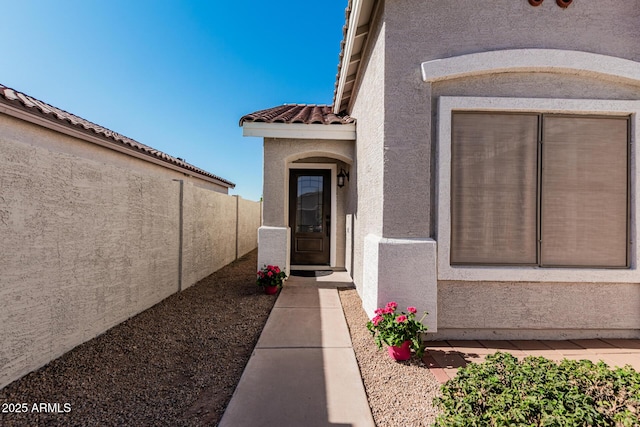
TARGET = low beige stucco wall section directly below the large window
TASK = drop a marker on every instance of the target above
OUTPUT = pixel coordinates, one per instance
(500, 310)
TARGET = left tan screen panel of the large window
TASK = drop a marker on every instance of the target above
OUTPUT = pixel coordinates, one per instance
(494, 180)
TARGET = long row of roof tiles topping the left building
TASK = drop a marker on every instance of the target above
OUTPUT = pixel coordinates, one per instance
(33, 106)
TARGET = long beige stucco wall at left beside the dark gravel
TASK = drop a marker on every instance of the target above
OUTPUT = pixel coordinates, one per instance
(90, 237)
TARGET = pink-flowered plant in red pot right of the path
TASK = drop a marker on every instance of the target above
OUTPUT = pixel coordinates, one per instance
(400, 331)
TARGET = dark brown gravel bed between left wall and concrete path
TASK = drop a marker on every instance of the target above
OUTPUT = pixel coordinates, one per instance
(175, 364)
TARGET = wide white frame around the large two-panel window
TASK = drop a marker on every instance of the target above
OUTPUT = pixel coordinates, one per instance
(446, 105)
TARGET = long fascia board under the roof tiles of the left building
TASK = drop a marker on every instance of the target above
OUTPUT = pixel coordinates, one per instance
(57, 127)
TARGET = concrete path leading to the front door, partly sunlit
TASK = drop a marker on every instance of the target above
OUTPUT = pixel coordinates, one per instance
(303, 371)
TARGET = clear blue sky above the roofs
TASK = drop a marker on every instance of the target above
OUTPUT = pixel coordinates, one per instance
(175, 75)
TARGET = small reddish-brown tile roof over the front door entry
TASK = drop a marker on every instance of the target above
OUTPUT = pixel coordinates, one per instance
(298, 113)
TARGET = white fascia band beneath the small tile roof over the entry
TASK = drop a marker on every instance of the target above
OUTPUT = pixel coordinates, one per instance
(345, 132)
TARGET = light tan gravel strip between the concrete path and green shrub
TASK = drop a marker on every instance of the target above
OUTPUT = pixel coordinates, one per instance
(400, 393)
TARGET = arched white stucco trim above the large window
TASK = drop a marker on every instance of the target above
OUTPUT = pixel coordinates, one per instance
(533, 60)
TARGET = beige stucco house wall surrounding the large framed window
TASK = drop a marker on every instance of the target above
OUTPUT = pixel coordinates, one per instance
(397, 141)
